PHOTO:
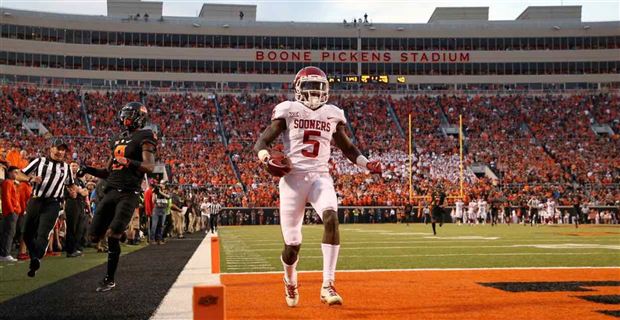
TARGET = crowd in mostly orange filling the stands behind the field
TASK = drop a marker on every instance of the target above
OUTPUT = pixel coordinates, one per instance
(533, 144)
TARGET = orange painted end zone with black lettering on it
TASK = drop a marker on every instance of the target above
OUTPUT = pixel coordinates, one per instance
(424, 295)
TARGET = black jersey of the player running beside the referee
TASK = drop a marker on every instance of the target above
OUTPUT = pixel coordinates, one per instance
(129, 145)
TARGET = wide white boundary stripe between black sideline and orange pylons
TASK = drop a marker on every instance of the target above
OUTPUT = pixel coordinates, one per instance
(177, 304)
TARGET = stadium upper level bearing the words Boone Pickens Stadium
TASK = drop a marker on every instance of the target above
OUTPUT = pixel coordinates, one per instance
(545, 46)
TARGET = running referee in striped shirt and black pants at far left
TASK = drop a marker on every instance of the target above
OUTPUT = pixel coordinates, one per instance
(51, 176)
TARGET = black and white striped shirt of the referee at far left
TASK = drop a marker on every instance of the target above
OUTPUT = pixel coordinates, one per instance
(55, 176)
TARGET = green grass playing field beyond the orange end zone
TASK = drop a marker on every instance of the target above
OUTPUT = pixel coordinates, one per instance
(397, 246)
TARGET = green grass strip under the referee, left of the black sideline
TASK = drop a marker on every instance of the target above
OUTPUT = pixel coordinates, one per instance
(14, 281)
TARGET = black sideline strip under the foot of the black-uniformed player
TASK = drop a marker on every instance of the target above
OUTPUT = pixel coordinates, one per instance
(143, 279)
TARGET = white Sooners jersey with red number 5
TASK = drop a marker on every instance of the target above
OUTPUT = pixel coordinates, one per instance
(308, 135)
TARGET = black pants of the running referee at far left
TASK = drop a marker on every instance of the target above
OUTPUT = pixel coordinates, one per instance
(38, 223)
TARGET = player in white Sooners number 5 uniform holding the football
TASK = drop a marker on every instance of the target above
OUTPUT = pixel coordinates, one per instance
(308, 125)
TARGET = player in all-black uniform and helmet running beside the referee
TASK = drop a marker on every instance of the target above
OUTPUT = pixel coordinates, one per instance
(133, 155)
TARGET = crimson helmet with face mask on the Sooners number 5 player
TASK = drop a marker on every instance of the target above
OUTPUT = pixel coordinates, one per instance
(311, 87)
